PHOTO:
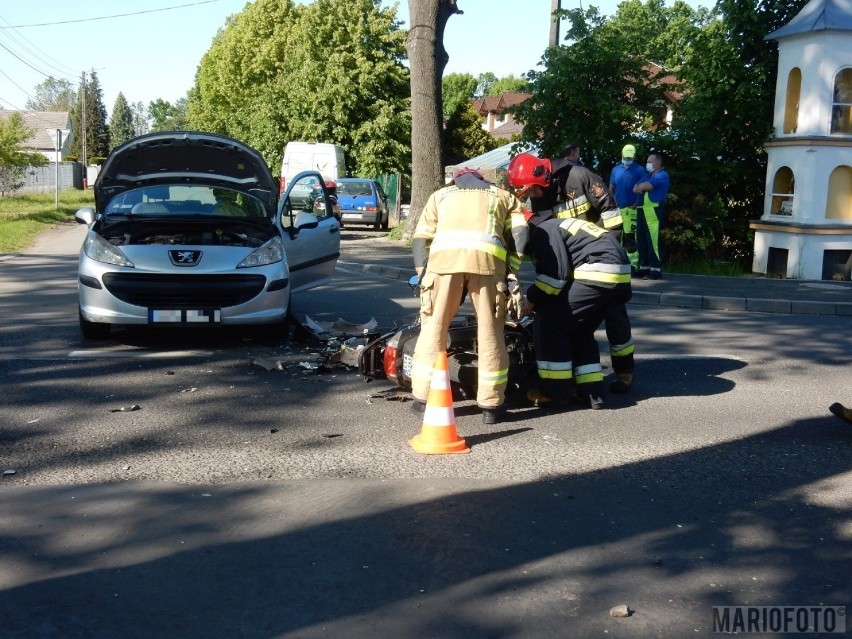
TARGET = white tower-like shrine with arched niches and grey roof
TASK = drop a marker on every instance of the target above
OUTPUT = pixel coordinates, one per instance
(805, 231)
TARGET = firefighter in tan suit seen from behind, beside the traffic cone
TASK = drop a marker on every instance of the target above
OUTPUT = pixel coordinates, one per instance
(469, 238)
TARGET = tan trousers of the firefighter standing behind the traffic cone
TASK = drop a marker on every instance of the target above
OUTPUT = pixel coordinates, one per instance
(440, 298)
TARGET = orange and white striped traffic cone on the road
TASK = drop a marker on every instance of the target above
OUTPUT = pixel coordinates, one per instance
(438, 435)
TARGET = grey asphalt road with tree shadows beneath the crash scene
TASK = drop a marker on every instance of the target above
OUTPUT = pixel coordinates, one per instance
(244, 502)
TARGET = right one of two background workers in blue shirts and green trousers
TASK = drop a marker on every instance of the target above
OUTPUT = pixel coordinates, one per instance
(649, 218)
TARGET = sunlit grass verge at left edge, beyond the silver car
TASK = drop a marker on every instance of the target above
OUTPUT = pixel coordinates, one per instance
(22, 217)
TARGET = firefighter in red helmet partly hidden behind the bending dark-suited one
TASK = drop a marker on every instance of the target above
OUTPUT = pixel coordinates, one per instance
(569, 191)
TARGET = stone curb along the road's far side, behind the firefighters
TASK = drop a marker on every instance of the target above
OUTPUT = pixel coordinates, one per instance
(679, 300)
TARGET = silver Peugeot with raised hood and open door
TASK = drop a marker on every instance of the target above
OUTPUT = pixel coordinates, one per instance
(187, 229)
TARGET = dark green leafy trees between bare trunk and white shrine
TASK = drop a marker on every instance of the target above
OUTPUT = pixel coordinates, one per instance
(597, 92)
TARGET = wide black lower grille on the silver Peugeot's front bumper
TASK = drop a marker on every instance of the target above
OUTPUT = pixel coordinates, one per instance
(183, 291)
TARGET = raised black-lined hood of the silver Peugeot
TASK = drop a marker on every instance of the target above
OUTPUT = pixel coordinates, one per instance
(187, 157)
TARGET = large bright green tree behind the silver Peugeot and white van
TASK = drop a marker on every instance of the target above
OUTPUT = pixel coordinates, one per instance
(329, 71)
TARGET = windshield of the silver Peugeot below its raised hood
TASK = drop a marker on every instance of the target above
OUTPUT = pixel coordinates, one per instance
(178, 200)
